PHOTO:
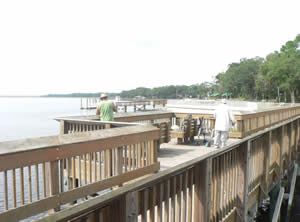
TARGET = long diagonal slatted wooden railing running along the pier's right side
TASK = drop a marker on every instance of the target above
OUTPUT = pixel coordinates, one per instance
(219, 186)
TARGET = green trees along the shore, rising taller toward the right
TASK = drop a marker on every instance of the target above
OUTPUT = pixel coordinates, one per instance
(276, 77)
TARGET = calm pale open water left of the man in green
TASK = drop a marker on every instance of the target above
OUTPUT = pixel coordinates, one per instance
(33, 117)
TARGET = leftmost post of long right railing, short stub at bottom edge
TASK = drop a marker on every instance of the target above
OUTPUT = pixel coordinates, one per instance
(132, 207)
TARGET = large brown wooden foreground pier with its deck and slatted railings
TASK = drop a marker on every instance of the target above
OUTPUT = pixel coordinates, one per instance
(154, 178)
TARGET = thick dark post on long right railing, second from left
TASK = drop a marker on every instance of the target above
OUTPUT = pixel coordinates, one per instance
(202, 200)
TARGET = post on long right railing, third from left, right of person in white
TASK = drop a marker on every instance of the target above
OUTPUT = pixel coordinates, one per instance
(243, 174)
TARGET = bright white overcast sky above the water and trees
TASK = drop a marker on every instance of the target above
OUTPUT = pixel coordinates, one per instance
(66, 46)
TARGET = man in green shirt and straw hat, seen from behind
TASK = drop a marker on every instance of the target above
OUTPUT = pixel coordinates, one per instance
(106, 109)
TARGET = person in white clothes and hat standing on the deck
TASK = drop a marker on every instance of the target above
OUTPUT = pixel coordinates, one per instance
(224, 121)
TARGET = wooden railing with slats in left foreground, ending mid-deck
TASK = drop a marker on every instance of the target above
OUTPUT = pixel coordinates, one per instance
(46, 173)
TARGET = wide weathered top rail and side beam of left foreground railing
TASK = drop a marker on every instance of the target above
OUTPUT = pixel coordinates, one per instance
(49, 148)
